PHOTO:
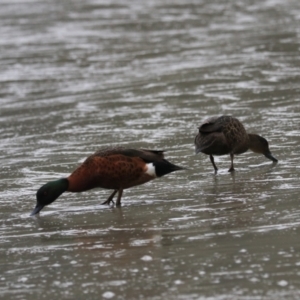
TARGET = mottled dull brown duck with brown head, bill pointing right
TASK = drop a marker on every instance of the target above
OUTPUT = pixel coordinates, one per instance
(227, 135)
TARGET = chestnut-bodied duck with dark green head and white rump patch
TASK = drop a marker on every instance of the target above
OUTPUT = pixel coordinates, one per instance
(114, 168)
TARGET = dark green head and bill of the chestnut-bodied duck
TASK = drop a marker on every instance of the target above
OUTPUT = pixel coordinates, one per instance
(48, 193)
